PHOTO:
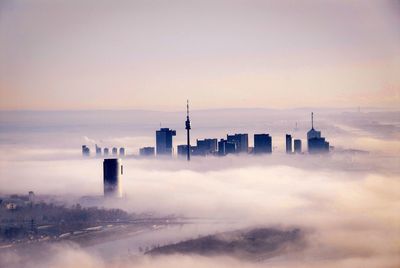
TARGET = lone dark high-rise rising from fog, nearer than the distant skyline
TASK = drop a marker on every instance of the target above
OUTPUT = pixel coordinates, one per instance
(112, 171)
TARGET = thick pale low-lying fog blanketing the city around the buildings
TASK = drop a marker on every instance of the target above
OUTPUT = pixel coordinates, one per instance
(348, 204)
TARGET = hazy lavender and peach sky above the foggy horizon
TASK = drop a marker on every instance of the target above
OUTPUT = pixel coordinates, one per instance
(153, 55)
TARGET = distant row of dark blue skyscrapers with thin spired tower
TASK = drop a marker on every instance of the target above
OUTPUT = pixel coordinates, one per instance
(234, 143)
